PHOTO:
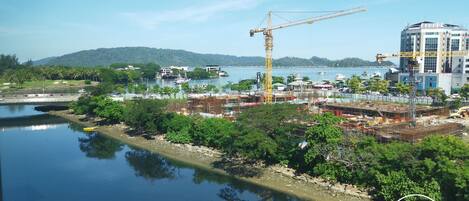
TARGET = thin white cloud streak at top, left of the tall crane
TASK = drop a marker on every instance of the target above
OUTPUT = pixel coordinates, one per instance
(189, 14)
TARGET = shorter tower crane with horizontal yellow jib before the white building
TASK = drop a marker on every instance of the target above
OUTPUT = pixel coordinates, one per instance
(415, 59)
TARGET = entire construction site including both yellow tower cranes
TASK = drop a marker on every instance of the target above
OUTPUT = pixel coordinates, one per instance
(386, 120)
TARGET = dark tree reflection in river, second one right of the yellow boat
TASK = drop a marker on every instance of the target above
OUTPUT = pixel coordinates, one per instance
(150, 166)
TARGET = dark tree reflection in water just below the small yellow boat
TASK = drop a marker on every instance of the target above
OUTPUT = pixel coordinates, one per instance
(100, 147)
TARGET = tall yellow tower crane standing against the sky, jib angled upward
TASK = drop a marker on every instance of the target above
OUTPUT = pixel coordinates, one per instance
(267, 31)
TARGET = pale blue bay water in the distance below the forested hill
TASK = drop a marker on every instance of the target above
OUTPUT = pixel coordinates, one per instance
(237, 73)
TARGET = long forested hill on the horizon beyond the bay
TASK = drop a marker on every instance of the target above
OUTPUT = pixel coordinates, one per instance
(166, 57)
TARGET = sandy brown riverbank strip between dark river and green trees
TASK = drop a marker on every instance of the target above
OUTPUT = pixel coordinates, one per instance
(274, 177)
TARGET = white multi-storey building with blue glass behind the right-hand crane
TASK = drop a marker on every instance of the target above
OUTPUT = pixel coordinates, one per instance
(441, 70)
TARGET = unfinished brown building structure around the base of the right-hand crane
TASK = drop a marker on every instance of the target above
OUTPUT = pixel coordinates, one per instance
(390, 121)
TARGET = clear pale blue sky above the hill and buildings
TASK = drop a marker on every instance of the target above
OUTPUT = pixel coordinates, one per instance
(35, 29)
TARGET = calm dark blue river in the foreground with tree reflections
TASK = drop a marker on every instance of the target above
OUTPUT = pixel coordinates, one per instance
(45, 158)
